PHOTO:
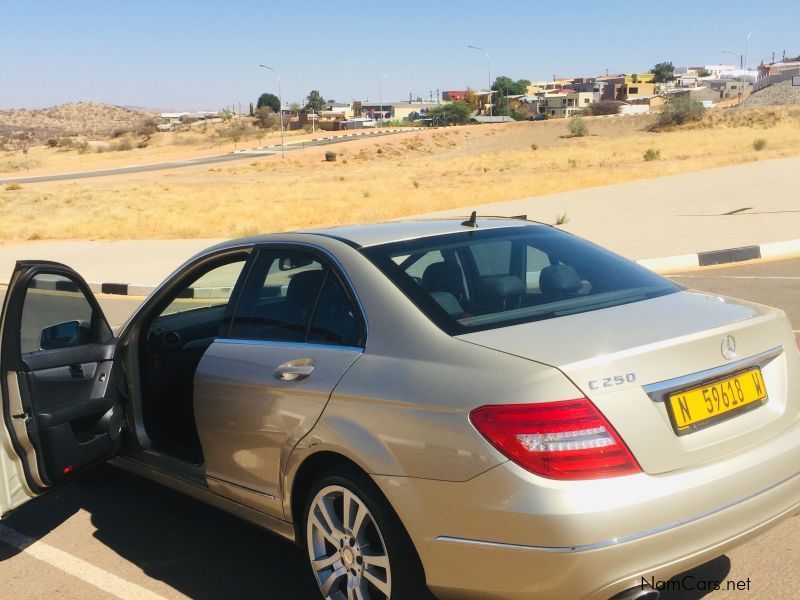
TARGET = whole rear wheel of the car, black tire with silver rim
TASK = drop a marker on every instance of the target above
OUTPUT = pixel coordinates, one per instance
(372, 555)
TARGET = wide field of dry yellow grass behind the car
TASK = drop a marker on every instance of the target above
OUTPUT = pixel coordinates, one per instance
(382, 179)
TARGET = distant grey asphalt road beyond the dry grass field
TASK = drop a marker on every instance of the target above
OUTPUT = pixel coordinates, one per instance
(192, 162)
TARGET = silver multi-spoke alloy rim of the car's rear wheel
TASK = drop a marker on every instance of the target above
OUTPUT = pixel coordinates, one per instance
(346, 547)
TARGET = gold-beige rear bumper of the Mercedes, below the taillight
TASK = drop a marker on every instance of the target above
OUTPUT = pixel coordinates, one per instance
(510, 534)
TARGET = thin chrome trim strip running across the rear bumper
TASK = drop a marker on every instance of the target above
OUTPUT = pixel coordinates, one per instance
(634, 536)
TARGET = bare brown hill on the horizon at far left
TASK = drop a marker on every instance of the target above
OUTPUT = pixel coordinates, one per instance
(87, 119)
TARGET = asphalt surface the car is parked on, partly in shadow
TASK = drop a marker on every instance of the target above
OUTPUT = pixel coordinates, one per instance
(124, 537)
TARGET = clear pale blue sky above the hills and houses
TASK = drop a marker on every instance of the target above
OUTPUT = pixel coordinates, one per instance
(204, 55)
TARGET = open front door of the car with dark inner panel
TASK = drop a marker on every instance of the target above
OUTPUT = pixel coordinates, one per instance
(61, 406)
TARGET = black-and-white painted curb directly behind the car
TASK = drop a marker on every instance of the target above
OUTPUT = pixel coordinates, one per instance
(664, 264)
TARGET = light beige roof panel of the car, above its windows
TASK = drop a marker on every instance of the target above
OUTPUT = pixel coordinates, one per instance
(394, 231)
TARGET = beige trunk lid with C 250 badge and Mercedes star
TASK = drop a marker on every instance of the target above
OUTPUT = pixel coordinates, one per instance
(615, 356)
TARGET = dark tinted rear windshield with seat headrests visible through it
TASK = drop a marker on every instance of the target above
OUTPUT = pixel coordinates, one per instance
(485, 279)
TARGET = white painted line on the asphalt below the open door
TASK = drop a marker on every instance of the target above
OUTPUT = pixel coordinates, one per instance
(105, 581)
